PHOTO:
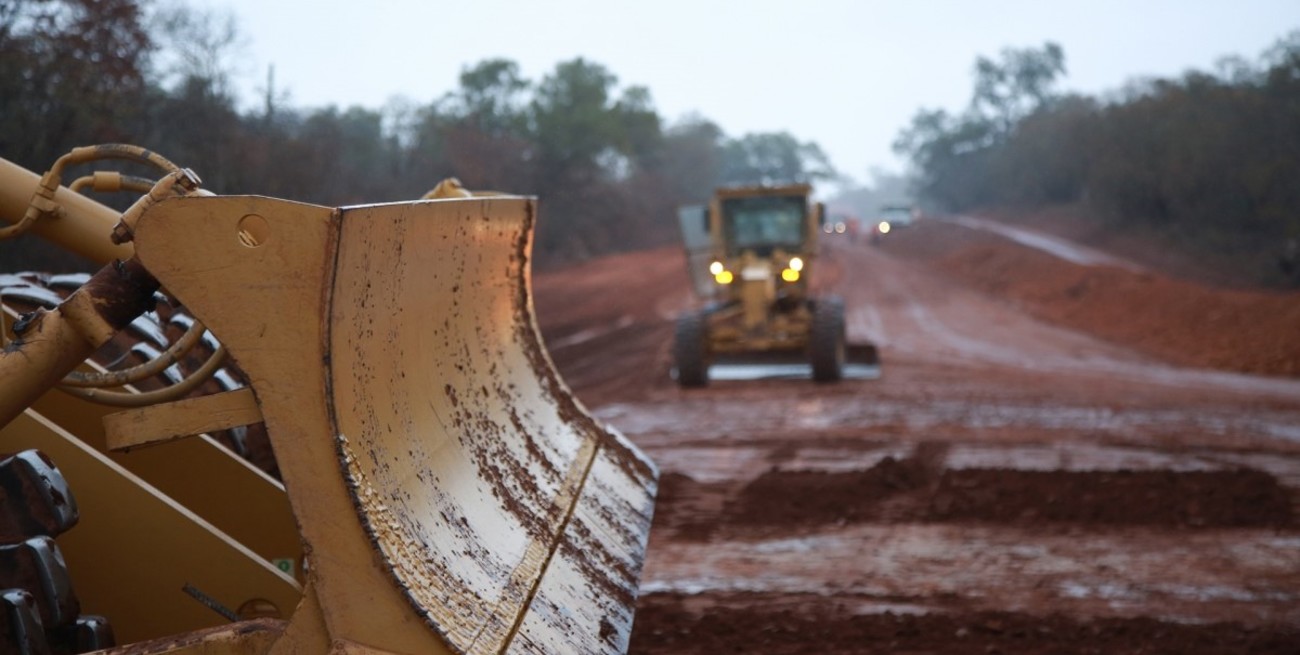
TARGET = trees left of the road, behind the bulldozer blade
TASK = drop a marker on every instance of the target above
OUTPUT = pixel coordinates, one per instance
(609, 170)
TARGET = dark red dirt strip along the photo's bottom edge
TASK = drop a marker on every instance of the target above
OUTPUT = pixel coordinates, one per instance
(668, 623)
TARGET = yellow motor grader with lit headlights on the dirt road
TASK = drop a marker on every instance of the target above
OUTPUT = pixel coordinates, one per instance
(751, 254)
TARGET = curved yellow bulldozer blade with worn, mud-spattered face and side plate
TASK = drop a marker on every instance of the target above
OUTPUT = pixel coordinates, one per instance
(452, 493)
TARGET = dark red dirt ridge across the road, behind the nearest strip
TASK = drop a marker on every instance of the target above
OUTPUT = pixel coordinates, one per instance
(918, 491)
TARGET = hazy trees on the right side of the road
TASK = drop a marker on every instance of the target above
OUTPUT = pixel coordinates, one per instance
(1208, 163)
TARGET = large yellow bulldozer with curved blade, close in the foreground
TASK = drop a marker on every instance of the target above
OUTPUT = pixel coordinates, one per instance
(440, 489)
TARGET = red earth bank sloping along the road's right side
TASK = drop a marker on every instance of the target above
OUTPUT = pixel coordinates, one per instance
(1177, 322)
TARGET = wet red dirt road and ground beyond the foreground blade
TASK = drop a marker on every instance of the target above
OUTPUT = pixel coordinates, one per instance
(1008, 485)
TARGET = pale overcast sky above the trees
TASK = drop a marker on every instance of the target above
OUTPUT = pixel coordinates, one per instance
(846, 75)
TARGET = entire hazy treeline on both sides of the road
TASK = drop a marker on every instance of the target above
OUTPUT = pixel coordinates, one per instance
(1210, 162)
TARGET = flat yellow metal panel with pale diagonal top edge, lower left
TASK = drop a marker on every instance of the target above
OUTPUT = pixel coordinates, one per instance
(135, 550)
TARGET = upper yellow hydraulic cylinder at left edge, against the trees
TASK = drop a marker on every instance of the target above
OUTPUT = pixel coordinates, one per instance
(84, 227)
